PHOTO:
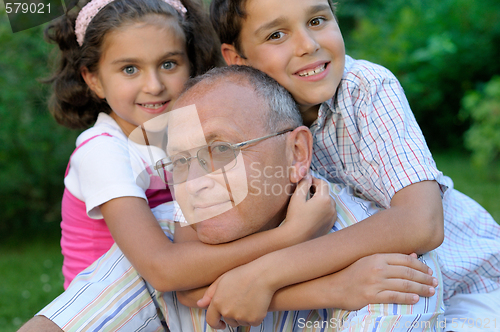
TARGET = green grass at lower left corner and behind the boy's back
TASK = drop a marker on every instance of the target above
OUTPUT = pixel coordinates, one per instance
(31, 277)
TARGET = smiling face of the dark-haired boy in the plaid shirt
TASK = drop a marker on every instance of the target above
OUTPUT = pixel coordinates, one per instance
(298, 43)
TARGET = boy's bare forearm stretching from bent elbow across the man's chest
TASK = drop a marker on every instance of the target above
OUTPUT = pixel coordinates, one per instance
(403, 228)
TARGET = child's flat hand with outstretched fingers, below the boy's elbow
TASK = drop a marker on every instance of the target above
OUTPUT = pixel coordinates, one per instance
(383, 278)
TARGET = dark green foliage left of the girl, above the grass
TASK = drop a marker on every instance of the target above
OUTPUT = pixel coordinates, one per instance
(35, 149)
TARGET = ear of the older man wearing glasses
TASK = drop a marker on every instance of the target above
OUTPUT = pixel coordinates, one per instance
(299, 145)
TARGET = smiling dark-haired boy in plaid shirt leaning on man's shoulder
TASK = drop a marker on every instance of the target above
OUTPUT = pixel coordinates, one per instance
(366, 136)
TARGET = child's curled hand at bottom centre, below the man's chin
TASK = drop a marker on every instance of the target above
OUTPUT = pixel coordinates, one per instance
(238, 297)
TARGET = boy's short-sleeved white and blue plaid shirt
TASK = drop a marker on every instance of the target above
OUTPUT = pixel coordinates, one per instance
(367, 137)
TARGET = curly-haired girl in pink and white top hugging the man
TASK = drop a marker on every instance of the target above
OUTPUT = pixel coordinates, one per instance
(124, 62)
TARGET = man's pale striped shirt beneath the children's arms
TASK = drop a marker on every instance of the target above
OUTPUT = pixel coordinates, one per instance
(111, 296)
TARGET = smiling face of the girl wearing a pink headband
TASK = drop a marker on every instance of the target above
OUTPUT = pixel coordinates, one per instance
(141, 72)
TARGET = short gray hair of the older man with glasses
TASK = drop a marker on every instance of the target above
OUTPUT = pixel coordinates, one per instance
(283, 111)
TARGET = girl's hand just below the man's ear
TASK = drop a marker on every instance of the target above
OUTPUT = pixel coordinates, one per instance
(313, 217)
